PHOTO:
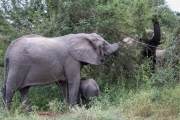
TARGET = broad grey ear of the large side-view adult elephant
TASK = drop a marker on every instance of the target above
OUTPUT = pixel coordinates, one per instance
(82, 49)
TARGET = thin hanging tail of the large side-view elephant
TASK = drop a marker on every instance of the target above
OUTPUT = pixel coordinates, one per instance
(3, 90)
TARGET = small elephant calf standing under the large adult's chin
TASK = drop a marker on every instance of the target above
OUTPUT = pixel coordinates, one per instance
(88, 90)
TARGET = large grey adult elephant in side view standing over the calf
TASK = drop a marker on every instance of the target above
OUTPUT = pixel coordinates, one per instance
(34, 60)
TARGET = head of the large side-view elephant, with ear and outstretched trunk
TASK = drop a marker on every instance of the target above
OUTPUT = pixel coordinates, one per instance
(90, 48)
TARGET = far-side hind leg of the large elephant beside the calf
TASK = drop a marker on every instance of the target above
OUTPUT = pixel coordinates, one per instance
(24, 98)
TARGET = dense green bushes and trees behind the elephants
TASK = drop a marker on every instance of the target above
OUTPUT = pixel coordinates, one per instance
(113, 20)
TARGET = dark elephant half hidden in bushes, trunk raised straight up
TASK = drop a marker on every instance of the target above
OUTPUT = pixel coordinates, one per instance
(151, 41)
